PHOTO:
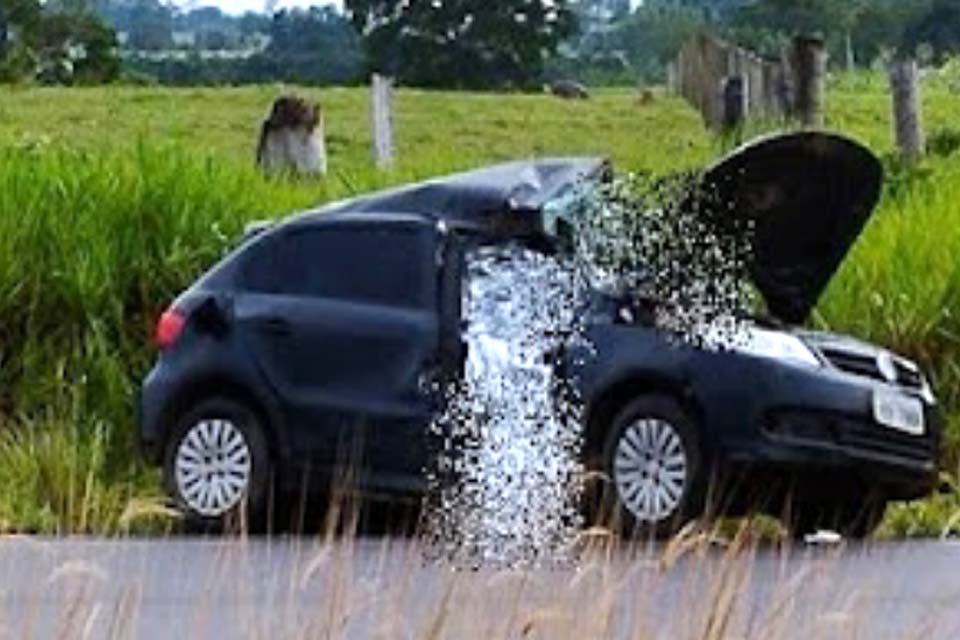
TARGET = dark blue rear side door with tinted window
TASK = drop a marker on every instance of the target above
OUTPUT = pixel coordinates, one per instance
(346, 331)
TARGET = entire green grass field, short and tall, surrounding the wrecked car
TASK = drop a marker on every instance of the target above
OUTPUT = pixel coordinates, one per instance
(112, 200)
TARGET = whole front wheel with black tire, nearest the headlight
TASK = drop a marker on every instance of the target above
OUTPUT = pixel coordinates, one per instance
(653, 469)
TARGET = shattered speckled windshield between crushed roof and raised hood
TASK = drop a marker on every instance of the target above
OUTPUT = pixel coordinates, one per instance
(636, 238)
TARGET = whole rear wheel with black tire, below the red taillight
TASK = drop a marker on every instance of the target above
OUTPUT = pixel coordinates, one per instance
(217, 466)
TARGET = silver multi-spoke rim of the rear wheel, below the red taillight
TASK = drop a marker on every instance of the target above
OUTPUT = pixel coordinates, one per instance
(213, 467)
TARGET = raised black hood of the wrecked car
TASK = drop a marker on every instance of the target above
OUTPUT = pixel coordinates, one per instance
(808, 196)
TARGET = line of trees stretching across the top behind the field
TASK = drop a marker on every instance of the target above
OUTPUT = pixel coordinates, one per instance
(468, 44)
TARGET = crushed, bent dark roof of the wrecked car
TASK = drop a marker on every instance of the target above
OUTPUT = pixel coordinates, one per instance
(503, 193)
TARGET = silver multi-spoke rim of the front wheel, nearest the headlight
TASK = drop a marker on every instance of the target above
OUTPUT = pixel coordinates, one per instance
(650, 469)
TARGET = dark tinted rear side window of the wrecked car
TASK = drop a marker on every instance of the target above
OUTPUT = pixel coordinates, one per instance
(371, 264)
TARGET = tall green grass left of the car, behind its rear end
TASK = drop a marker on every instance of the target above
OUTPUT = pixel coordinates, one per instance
(91, 247)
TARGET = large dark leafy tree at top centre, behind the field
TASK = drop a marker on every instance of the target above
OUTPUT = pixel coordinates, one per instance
(470, 44)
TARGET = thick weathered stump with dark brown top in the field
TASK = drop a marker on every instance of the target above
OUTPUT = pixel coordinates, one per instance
(292, 138)
